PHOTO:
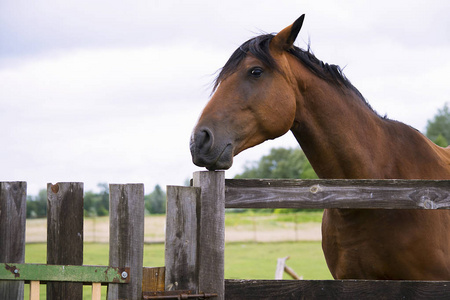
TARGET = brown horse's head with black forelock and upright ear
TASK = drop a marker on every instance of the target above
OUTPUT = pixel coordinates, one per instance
(254, 100)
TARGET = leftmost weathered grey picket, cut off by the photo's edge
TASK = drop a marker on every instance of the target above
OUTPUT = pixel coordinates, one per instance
(12, 232)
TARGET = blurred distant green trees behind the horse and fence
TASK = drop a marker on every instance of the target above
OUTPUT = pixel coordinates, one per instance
(279, 163)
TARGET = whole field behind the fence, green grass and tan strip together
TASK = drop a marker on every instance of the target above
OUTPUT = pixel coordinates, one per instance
(245, 259)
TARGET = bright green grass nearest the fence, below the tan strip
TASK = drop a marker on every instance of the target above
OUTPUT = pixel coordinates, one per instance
(242, 260)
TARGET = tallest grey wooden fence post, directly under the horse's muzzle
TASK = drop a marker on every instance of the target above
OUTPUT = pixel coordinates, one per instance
(211, 225)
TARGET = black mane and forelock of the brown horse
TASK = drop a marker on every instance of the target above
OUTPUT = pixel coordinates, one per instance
(259, 47)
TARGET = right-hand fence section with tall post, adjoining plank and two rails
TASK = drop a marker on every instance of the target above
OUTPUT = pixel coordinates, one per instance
(196, 222)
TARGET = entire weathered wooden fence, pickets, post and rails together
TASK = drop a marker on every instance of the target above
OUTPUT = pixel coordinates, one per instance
(194, 258)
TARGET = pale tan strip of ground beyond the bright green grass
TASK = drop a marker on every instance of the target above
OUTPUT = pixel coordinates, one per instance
(97, 230)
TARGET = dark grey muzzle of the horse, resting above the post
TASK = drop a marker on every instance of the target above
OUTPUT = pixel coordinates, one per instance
(210, 153)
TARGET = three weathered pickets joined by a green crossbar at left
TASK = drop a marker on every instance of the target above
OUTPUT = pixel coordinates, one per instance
(64, 273)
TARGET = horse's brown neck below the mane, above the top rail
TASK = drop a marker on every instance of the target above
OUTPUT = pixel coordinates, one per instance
(344, 138)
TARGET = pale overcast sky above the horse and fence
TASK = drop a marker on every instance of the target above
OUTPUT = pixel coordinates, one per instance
(109, 91)
